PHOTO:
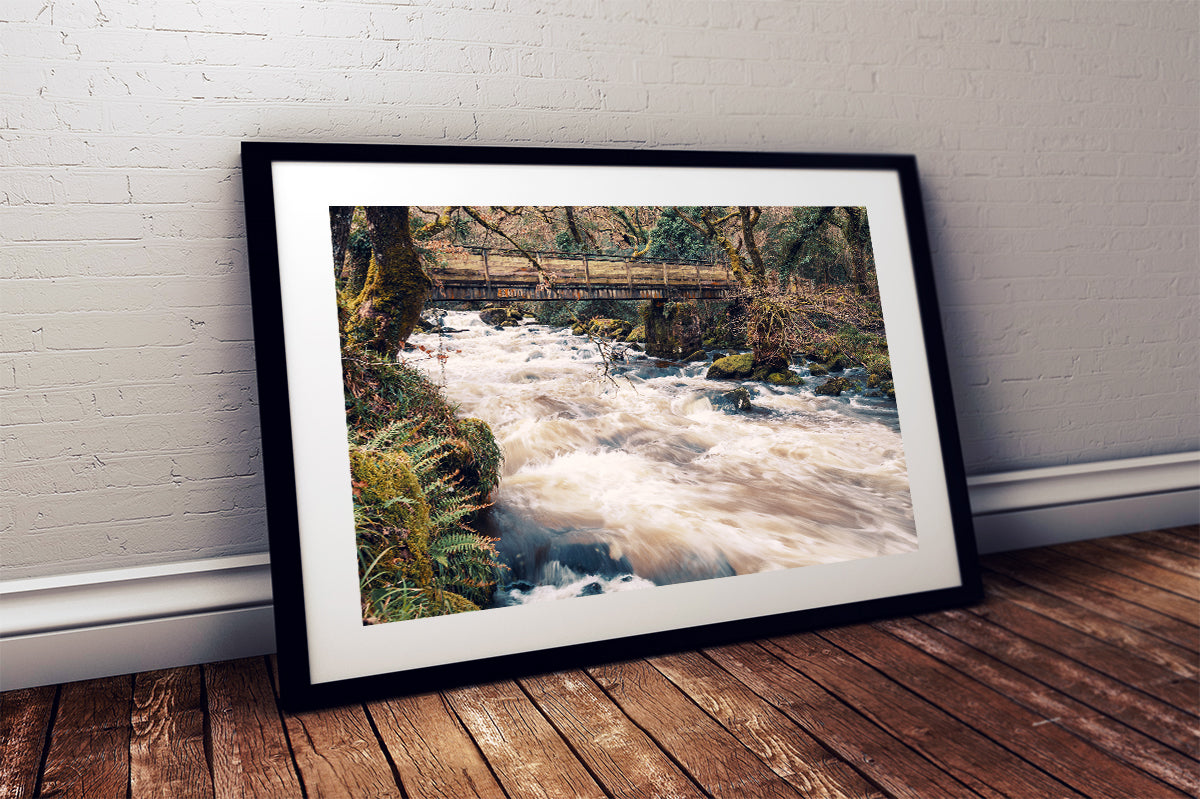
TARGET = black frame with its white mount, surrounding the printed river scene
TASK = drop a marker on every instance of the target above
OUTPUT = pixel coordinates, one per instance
(291, 185)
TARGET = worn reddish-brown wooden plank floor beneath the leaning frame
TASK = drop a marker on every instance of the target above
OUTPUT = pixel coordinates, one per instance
(1077, 677)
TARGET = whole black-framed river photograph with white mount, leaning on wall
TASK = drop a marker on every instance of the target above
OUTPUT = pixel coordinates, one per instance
(531, 408)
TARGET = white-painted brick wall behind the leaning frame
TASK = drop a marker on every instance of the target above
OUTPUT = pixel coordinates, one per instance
(1058, 143)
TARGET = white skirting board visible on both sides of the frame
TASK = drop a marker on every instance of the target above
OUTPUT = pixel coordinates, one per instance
(80, 627)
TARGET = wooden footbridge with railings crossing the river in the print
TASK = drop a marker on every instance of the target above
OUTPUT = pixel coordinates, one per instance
(483, 274)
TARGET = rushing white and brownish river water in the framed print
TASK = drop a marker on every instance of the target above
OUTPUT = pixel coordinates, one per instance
(647, 477)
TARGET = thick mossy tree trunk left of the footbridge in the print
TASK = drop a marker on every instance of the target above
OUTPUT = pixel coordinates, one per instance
(383, 315)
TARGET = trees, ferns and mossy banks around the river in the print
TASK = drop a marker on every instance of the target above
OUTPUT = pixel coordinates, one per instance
(806, 289)
